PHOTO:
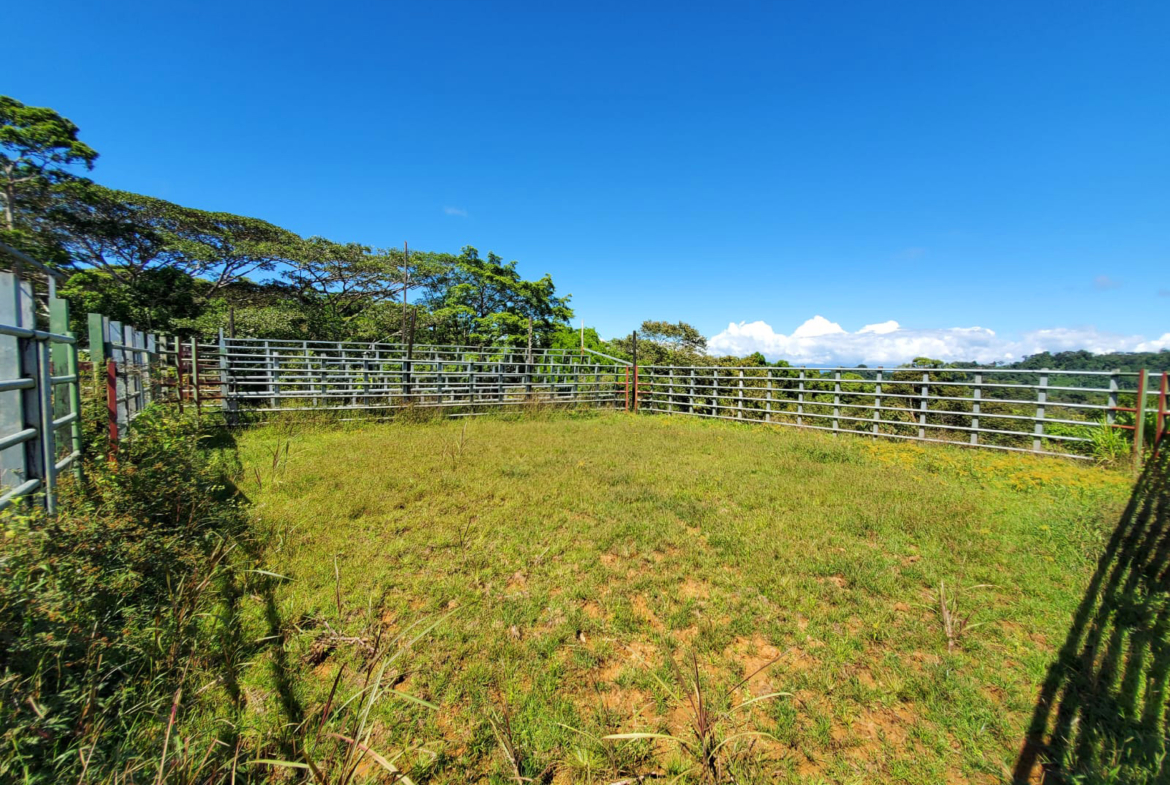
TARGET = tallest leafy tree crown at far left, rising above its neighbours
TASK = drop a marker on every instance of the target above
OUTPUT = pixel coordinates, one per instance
(39, 149)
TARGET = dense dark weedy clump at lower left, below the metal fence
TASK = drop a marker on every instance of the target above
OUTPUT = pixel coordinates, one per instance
(100, 607)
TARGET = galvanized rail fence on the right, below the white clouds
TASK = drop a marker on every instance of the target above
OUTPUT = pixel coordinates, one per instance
(1044, 412)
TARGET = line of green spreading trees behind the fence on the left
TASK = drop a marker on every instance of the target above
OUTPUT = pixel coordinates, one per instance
(168, 267)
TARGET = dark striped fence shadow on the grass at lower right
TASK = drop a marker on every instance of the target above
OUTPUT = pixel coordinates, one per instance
(1103, 708)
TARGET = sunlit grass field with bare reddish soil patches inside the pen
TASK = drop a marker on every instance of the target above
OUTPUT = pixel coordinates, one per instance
(582, 569)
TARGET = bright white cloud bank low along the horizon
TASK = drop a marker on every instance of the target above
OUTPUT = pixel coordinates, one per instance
(821, 342)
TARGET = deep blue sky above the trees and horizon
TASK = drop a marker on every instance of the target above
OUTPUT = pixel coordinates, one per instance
(941, 166)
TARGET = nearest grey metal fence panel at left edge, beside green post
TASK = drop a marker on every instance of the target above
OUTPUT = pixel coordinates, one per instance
(40, 395)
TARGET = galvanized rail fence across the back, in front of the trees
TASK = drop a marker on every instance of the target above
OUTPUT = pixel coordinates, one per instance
(264, 377)
